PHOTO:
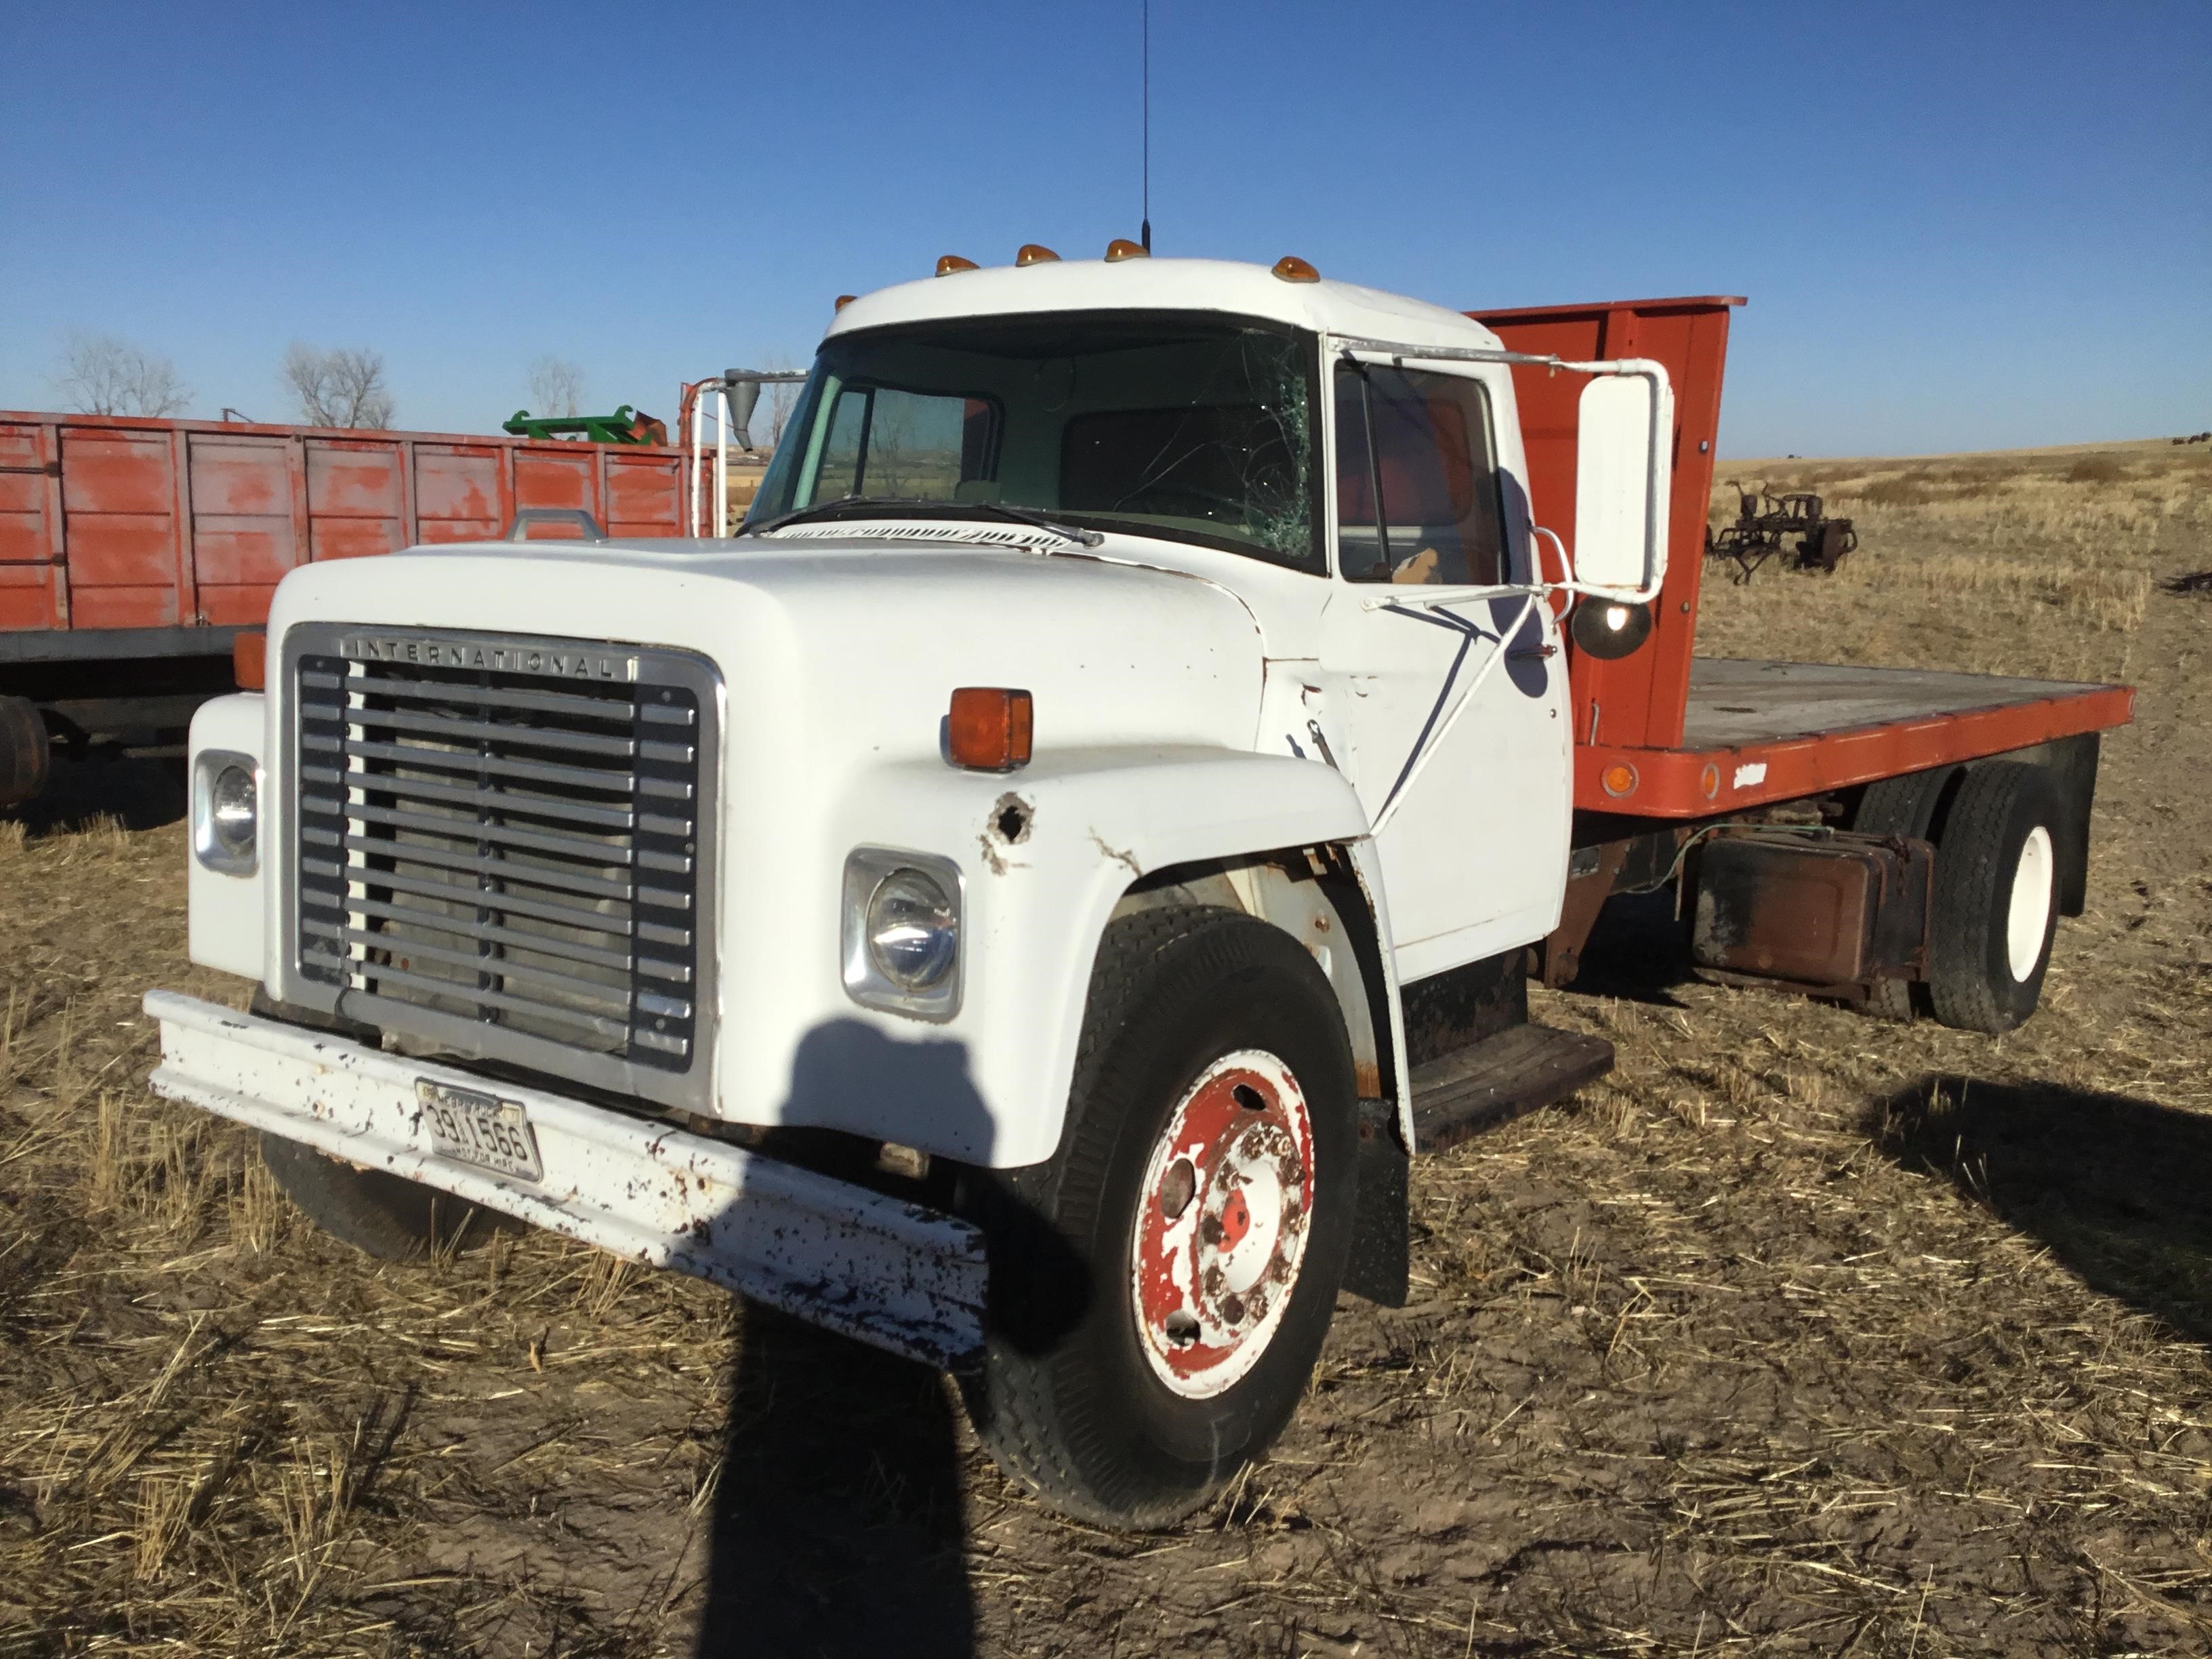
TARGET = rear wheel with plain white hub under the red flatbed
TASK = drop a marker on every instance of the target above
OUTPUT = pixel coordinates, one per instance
(1996, 897)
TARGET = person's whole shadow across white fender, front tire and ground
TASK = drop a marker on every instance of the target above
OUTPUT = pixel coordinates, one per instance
(839, 1519)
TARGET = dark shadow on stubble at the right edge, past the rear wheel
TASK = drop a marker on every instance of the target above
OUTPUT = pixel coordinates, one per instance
(2118, 1189)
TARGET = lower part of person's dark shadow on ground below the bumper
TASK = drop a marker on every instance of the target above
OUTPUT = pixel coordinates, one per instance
(839, 1514)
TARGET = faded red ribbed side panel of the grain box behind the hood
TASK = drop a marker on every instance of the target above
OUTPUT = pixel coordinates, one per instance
(123, 523)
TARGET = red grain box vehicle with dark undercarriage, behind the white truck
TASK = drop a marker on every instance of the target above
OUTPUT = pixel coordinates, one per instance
(136, 552)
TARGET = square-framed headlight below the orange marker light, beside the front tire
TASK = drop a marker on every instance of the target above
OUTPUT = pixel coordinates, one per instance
(904, 932)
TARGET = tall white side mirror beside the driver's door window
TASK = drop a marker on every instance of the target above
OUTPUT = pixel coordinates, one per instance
(1623, 483)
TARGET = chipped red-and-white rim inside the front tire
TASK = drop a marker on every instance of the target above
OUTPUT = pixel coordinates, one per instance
(1222, 1224)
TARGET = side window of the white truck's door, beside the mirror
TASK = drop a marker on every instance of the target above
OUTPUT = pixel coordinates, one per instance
(1417, 479)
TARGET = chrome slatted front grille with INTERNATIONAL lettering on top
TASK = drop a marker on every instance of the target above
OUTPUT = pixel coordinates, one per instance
(503, 846)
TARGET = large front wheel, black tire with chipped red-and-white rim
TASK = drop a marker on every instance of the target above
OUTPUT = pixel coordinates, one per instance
(1198, 1213)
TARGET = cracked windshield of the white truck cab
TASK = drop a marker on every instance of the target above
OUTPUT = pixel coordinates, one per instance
(1193, 428)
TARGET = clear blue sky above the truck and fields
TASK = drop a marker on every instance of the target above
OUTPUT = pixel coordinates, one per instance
(1961, 227)
